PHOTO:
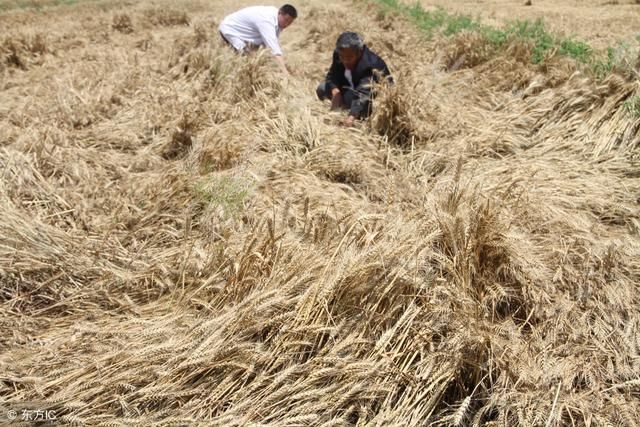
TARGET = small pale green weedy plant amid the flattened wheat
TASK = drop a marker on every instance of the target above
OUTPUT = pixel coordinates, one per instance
(228, 193)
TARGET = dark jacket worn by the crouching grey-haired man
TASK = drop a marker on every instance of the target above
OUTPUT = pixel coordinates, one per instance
(363, 76)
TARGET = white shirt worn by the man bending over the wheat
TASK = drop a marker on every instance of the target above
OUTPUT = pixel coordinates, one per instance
(257, 25)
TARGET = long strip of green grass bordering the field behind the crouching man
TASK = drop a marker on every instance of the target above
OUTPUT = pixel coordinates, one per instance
(545, 44)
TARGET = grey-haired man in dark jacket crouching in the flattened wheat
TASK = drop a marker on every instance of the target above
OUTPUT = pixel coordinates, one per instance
(353, 71)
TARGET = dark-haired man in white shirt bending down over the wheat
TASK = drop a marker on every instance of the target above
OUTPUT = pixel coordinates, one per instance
(256, 26)
